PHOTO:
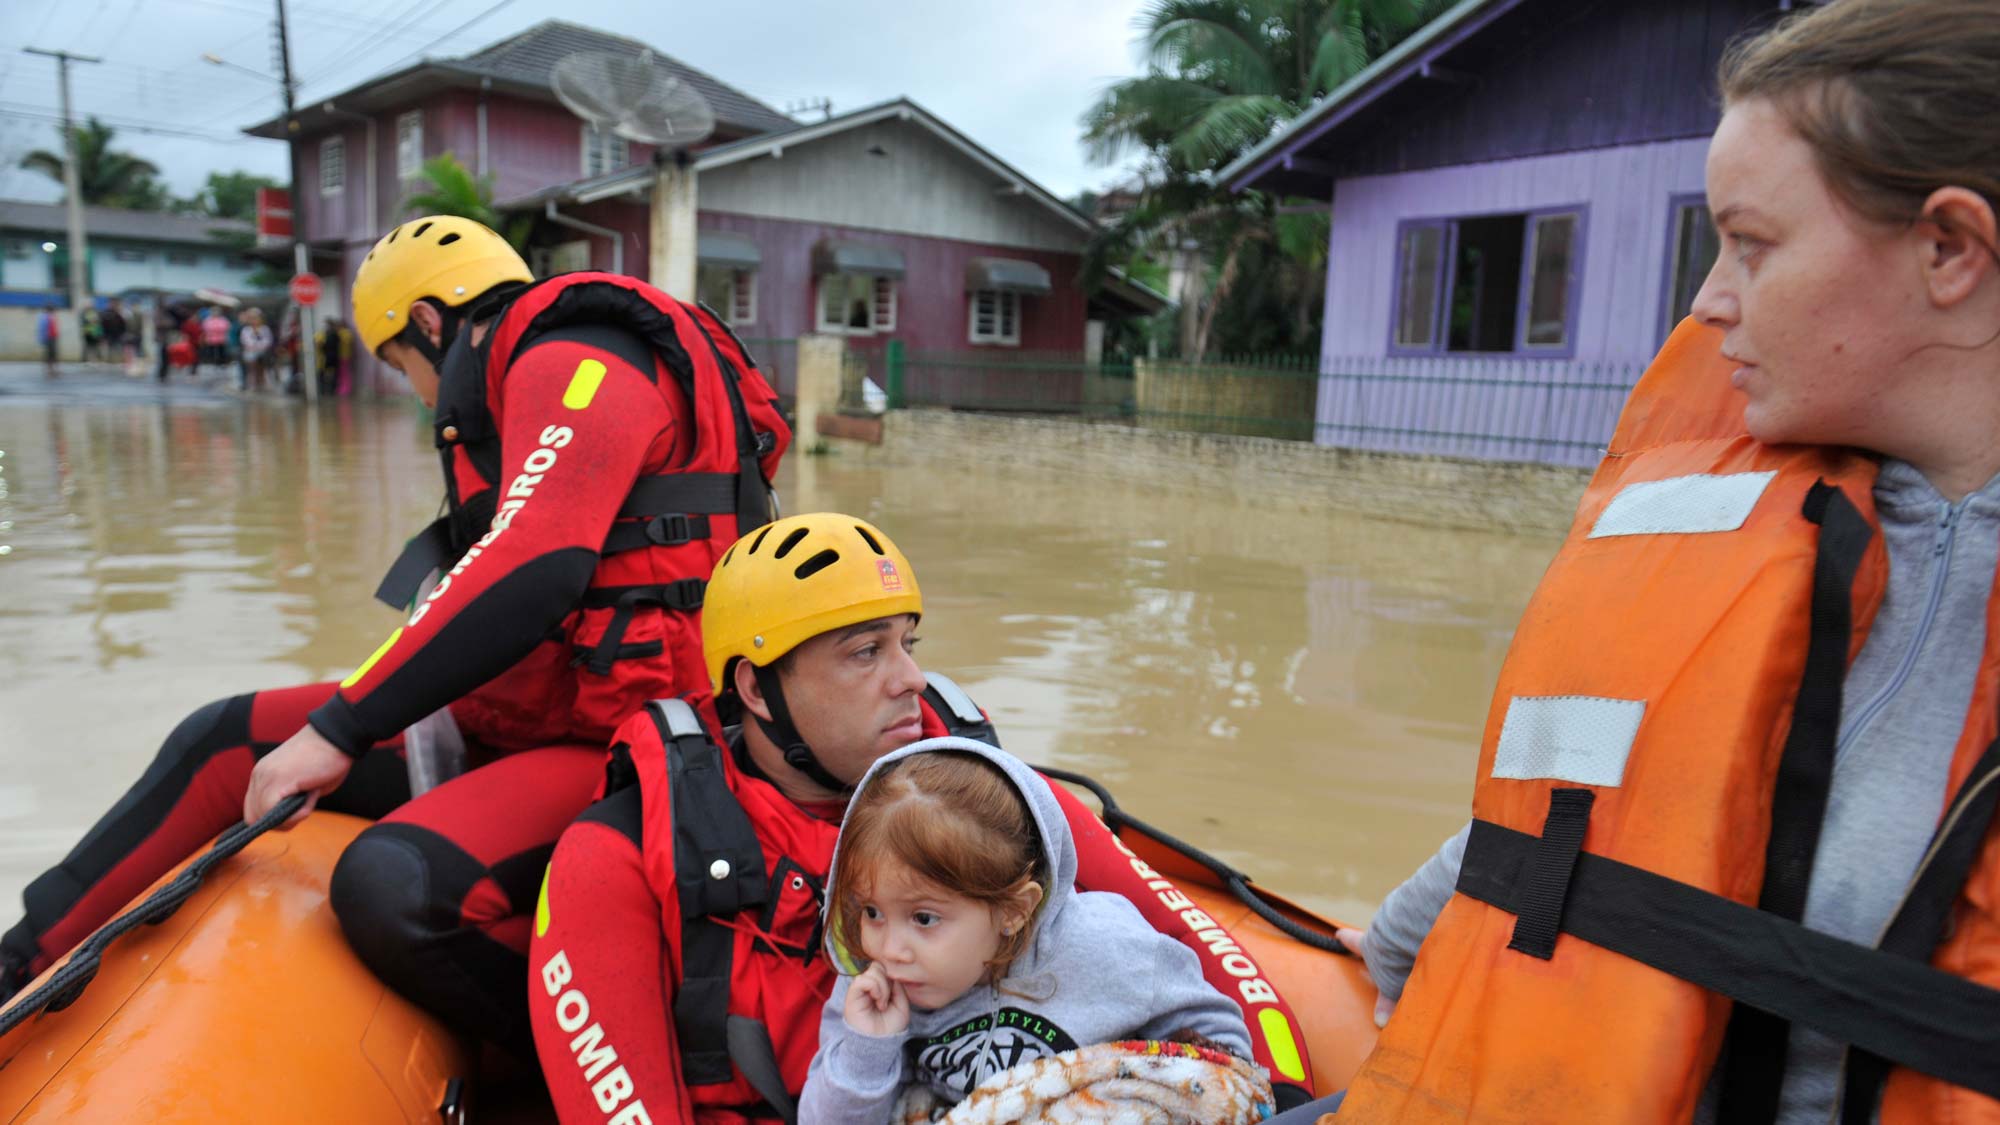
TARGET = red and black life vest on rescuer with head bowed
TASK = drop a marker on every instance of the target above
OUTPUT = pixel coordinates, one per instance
(637, 630)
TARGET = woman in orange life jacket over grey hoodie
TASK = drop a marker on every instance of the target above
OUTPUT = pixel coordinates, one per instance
(1745, 746)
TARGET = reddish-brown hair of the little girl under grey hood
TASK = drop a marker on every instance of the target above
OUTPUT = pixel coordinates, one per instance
(953, 820)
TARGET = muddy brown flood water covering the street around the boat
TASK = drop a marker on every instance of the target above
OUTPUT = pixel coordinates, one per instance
(1301, 696)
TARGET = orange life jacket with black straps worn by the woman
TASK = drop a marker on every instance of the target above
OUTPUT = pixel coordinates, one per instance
(1651, 786)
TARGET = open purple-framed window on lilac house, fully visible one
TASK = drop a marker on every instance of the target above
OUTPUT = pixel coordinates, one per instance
(1489, 283)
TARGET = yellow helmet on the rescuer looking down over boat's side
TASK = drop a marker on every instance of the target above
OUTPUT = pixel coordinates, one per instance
(441, 257)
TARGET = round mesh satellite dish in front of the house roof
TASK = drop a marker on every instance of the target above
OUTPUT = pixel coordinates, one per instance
(637, 97)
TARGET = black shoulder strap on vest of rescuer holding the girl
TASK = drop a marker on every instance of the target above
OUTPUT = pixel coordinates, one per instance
(719, 870)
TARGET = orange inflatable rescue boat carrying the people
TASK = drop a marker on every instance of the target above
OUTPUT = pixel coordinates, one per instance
(245, 1004)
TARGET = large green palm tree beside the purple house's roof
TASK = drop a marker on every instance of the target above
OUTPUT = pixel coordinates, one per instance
(1223, 75)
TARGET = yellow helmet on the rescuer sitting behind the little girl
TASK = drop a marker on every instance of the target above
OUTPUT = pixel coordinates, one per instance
(789, 582)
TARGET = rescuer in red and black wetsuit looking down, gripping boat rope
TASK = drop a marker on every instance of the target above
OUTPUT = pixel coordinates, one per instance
(603, 443)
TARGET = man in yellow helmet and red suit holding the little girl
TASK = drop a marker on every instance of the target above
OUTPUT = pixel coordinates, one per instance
(677, 962)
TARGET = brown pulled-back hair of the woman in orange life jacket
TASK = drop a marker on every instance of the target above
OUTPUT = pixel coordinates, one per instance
(1895, 97)
